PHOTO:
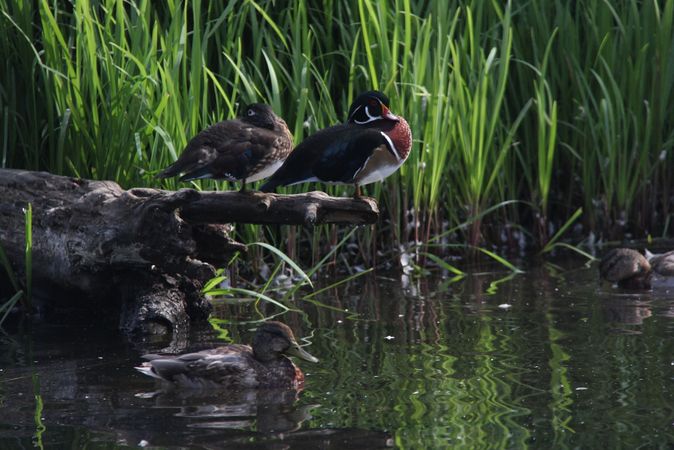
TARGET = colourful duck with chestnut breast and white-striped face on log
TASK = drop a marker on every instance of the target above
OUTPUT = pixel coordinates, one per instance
(370, 146)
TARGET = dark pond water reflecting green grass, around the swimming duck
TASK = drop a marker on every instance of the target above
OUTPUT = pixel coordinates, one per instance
(546, 359)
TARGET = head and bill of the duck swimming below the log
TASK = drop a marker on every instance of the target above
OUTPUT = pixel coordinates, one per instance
(274, 339)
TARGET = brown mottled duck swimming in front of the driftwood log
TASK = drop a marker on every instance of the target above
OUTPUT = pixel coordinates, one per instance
(236, 366)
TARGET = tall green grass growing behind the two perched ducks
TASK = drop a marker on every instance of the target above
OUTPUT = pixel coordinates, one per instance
(558, 105)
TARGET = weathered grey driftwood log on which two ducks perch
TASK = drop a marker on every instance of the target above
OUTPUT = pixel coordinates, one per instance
(142, 255)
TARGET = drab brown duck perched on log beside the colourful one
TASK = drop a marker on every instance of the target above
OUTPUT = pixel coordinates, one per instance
(245, 149)
